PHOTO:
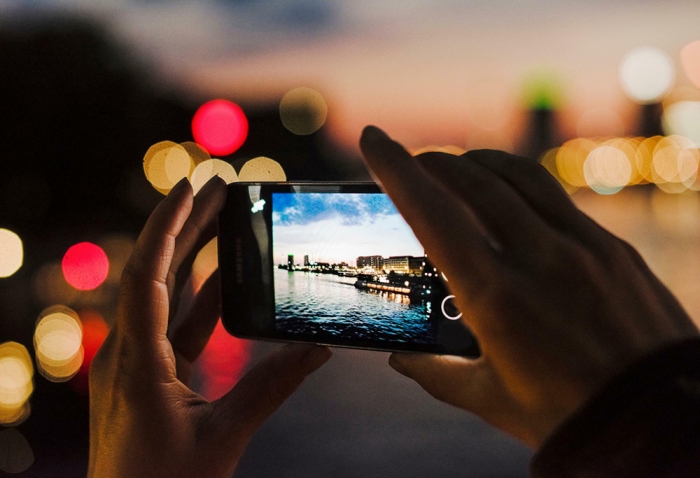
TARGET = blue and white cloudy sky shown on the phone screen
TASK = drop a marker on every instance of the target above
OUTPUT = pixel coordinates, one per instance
(338, 228)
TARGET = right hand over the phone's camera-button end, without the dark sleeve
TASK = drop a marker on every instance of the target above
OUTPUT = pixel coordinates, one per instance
(558, 304)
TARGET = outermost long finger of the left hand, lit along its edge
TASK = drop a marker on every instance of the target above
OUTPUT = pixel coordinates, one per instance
(143, 300)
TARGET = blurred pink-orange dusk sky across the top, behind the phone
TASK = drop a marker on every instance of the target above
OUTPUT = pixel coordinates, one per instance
(429, 72)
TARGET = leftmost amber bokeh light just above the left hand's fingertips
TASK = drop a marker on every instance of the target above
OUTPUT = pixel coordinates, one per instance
(165, 164)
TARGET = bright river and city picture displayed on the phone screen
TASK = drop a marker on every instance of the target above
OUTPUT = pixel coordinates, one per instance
(348, 265)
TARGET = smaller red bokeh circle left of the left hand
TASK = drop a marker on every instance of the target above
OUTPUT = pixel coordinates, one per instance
(85, 266)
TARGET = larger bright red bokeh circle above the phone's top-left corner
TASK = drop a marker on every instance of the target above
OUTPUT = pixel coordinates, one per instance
(220, 127)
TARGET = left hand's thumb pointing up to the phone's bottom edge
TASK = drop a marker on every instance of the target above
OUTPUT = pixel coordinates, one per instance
(240, 412)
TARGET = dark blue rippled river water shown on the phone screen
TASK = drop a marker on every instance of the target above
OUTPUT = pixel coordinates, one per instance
(329, 305)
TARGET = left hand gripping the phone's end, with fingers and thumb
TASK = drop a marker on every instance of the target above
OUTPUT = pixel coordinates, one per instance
(144, 418)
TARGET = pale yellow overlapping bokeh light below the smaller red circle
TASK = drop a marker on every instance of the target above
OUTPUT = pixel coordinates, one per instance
(58, 343)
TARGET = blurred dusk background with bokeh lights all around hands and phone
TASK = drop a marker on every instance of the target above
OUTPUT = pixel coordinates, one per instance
(106, 104)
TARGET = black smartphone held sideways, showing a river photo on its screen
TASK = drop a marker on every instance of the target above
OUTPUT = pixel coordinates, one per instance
(333, 264)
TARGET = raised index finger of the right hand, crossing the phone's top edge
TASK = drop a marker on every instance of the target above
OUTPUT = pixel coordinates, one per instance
(446, 228)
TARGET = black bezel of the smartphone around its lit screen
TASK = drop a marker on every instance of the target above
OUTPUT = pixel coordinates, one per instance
(248, 302)
